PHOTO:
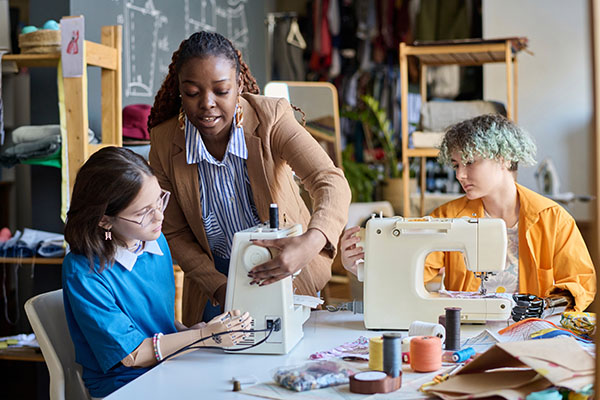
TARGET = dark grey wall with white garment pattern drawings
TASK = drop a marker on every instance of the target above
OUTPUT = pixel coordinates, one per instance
(153, 30)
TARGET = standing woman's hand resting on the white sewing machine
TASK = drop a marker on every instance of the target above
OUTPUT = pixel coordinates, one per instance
(294, 253)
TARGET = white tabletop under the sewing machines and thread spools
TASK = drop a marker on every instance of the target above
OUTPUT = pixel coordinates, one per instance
(208, 373)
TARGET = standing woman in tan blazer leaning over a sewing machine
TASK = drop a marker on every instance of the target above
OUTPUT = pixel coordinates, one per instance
(226, 153)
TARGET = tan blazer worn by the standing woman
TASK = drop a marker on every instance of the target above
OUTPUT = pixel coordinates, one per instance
(276, 143)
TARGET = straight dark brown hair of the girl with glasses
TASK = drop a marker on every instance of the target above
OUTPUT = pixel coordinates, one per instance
(105, 185)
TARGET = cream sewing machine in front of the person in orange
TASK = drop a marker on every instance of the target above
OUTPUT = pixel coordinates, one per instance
(395, 251)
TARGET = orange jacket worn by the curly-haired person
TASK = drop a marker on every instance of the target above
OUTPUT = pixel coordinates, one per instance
(552, 253)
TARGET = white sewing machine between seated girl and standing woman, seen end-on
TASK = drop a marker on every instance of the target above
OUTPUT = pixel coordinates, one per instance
(264, 303)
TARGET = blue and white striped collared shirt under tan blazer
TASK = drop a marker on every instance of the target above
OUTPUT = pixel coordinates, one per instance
(225, 192)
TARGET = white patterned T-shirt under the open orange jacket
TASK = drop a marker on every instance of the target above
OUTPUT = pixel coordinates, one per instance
(507, 281)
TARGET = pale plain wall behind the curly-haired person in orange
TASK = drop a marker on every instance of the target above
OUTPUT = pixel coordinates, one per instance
(555, 85)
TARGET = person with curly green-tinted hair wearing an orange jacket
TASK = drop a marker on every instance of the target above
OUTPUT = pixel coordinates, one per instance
(546, 254)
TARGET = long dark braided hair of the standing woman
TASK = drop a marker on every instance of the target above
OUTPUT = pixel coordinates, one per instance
(199, 45)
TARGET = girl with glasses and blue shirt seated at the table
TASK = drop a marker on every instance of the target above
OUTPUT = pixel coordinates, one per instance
(118, 283)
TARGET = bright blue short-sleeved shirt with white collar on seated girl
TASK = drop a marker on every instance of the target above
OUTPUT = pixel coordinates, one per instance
(110, 313)
